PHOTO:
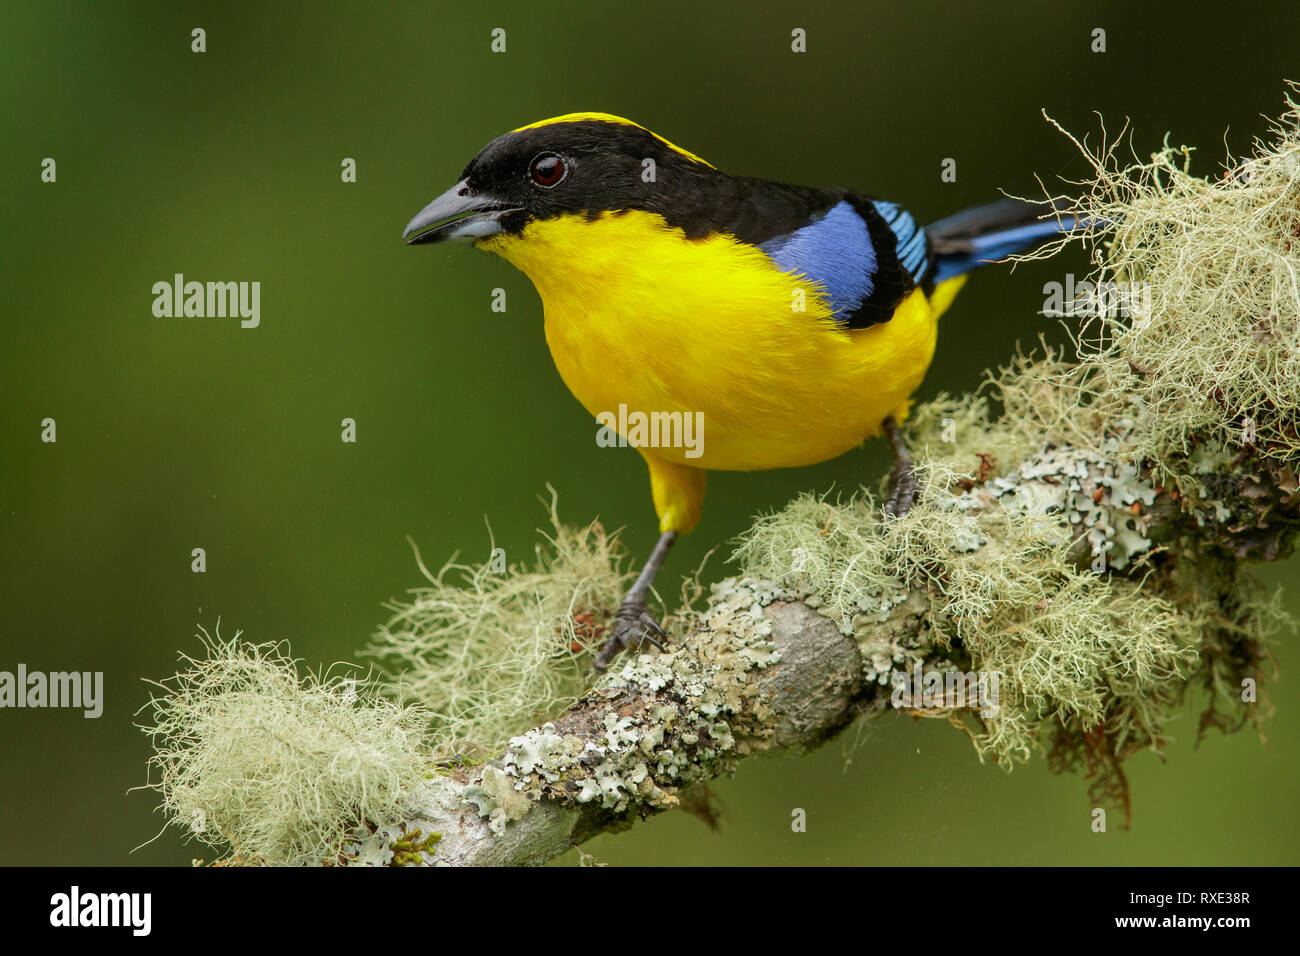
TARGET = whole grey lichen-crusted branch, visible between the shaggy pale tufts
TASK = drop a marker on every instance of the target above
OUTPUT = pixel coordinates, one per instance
(766, 672)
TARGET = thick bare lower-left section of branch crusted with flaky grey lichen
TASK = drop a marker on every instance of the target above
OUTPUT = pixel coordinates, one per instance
(762, 673)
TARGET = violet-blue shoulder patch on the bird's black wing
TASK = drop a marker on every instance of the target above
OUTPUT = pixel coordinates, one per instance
(835, 250)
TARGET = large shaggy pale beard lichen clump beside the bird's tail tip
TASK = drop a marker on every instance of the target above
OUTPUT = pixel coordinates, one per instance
(1211, 343)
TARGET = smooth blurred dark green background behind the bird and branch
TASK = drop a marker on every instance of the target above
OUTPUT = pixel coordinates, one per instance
(176, 434)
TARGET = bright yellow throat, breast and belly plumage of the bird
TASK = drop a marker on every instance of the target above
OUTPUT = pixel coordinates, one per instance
(642, 318)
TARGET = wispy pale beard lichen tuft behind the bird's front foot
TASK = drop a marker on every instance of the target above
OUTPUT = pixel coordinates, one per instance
(492, 650)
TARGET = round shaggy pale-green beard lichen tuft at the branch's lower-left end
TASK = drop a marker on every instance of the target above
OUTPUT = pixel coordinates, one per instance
(275, 767)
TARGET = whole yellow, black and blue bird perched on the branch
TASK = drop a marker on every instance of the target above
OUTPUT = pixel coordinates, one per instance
(791, 323)
